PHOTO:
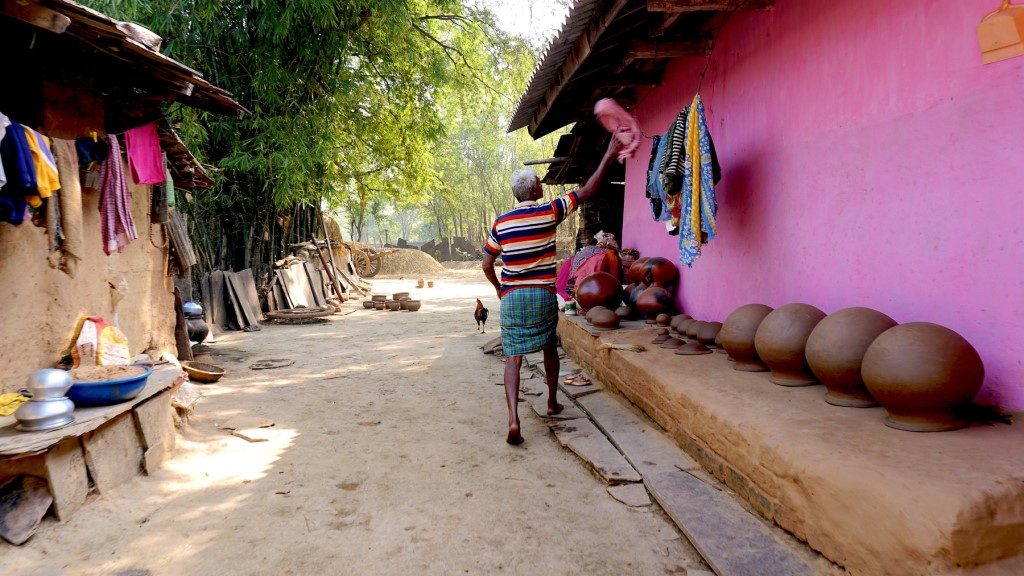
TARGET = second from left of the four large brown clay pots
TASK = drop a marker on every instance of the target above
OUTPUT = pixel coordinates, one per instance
(782, 342)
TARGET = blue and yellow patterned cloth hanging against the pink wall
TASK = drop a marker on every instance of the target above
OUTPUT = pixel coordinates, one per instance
(698, 223)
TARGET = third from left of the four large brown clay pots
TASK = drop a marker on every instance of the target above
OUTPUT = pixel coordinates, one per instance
(836, 349)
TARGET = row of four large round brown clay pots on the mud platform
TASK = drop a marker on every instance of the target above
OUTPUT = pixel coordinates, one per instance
(920, 373)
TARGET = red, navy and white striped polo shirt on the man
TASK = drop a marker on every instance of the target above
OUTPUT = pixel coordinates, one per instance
(525, 238)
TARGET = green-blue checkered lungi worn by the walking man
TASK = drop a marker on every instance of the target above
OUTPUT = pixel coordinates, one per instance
(530, 317)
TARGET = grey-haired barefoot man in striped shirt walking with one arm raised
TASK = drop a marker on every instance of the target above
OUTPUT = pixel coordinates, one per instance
(525, 238)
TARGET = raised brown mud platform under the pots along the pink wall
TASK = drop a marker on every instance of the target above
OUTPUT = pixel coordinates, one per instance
(874, 500)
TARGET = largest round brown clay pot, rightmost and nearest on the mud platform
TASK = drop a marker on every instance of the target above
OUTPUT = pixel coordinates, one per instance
(921, 374)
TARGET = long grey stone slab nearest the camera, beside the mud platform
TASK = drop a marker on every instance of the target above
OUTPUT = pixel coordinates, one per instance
(731, 541)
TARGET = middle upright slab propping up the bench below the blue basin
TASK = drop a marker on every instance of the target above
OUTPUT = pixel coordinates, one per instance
(113, 454)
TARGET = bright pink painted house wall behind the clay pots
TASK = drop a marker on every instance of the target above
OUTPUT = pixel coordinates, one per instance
(869, 159)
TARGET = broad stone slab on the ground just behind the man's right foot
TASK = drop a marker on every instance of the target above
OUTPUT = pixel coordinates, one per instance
(644, 443)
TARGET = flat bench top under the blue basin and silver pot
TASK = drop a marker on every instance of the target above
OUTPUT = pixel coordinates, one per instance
(15, 443)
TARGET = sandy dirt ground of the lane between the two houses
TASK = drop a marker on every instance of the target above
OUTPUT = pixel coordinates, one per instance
(388, 457)
